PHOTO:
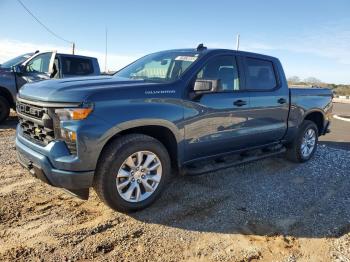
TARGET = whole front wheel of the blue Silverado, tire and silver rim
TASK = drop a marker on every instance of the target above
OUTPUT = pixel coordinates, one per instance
(132, 172)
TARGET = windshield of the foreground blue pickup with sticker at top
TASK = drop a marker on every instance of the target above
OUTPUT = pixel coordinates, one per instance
(160, 67)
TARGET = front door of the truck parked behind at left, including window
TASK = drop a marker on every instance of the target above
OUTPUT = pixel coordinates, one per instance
(39, 68)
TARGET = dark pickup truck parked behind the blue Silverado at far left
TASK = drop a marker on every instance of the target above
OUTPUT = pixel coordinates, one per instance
(38, 66)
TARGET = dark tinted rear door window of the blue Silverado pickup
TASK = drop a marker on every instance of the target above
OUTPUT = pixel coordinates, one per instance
(260, 74)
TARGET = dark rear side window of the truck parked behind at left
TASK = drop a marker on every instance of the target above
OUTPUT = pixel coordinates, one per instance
(76, 66)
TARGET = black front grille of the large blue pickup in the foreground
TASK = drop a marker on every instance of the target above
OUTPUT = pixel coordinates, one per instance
(36, 123)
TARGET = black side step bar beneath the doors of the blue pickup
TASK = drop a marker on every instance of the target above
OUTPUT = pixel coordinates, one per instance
(203, 167)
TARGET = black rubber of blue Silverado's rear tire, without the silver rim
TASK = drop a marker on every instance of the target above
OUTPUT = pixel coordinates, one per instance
(294, 152)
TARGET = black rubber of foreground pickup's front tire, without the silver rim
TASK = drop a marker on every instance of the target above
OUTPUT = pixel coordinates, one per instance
(113, 157)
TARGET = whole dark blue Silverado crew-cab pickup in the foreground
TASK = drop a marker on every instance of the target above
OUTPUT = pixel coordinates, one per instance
(185, 111)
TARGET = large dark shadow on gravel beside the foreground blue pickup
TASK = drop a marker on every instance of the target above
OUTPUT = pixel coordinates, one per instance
(269, 197)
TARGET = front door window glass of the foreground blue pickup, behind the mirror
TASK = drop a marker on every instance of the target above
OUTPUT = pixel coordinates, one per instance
(224, 69)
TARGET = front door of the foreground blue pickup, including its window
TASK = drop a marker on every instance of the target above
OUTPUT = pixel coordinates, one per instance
(215, 121)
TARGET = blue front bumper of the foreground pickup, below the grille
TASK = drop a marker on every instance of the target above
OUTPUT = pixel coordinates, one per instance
(40, 167)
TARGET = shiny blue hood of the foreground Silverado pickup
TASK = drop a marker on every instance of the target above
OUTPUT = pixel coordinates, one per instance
(76, 89)
